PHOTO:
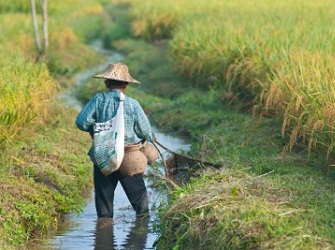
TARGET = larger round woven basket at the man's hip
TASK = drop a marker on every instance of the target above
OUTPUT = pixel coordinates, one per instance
(134, 161)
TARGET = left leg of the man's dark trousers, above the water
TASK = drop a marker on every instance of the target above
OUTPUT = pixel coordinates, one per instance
(104, 192)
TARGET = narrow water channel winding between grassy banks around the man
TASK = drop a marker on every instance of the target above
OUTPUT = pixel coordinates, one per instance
(84, 231)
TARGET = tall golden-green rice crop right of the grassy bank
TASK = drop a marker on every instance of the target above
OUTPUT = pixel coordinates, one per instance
(274, 57)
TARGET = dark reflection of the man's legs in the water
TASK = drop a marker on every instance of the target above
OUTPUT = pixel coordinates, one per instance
(136, 239)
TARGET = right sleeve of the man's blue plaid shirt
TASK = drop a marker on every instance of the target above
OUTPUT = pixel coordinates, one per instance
(142, 125)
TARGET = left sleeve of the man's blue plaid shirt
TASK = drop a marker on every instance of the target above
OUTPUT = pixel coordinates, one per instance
(87, 116)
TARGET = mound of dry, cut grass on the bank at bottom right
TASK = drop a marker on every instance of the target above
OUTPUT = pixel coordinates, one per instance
(235, 210)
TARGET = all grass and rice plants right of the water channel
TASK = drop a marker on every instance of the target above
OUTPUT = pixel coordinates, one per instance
(267, 197)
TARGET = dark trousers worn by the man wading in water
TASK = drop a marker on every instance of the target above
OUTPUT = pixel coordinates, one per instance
(104, 186)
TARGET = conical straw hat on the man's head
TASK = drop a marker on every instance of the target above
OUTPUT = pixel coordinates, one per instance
(119, 72)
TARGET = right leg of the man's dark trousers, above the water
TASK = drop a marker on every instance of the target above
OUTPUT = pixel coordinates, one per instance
(136, 192)
